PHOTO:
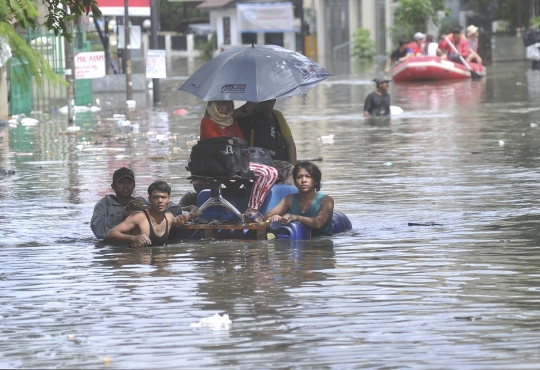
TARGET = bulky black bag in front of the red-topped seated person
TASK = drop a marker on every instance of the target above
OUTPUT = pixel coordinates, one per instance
(220, 156)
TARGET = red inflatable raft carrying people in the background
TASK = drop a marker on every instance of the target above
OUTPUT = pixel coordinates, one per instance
(433, 68)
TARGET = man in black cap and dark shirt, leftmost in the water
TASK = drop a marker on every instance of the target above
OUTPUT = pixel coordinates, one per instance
(111, 209)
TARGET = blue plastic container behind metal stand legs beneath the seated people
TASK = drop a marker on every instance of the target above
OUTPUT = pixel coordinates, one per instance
(239, 198)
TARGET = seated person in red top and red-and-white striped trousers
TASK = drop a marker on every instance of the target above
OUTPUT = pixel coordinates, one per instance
(218, 121)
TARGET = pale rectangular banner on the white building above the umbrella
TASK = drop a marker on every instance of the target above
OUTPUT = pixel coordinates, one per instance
(274, 17)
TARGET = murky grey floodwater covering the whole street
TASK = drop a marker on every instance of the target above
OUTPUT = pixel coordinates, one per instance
(462, 293)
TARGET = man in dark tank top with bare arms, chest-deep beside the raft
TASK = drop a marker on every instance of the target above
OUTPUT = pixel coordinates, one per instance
(151, 227)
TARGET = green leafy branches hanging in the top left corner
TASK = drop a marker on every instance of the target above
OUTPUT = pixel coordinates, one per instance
(18, 15)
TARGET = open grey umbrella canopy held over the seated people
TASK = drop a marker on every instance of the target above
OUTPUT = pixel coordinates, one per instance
(255, 73)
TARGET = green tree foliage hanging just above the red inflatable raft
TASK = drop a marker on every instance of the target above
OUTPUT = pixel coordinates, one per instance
(412, 16)
